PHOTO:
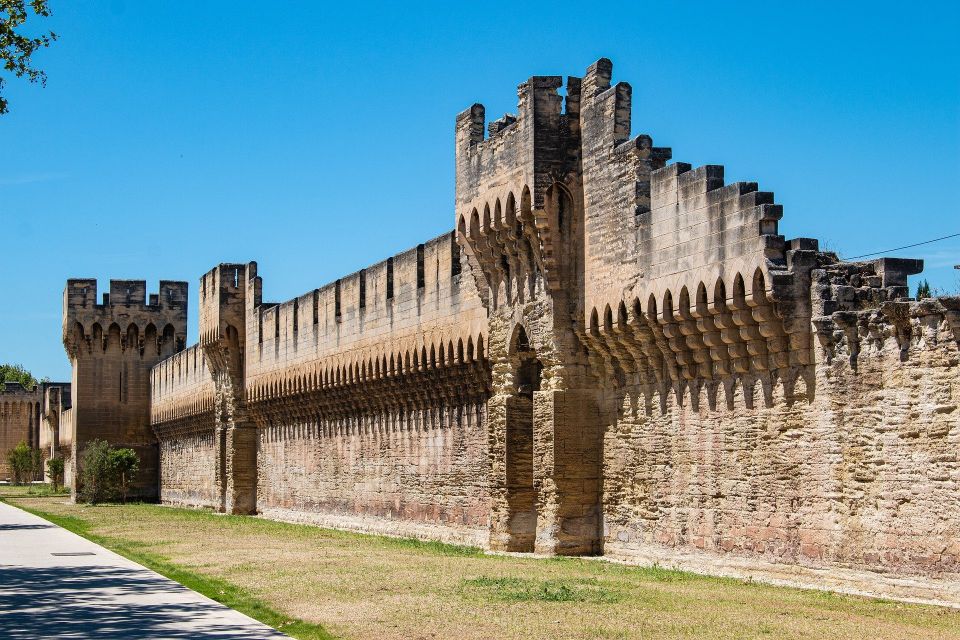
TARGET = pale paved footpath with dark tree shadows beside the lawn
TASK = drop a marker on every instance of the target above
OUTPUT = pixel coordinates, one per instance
(55, 584)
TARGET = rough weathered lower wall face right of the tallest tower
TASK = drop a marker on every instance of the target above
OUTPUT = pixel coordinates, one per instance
(843, 467)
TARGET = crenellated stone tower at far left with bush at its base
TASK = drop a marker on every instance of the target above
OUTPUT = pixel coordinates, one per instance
(112, 347)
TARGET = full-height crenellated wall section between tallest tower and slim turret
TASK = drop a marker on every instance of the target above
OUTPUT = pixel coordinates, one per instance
(360, 417)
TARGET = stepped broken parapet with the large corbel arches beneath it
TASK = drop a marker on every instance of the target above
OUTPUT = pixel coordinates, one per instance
(712, 291)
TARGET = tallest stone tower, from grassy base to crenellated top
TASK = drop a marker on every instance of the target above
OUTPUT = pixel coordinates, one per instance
(519, 204)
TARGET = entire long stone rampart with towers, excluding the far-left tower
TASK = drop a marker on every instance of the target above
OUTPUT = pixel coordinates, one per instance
(611, 354)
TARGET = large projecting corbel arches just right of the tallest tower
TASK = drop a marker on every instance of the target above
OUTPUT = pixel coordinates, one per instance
(730, 327)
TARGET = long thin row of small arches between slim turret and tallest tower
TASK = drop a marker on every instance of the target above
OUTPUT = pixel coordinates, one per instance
(343, 371)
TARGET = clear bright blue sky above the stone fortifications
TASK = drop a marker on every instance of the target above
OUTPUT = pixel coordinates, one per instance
(317, 138)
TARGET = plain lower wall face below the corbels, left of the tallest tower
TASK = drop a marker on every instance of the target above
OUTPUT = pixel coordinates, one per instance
(426, 477)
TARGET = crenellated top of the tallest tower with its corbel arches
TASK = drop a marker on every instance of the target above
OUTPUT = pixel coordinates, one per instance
(511, 188)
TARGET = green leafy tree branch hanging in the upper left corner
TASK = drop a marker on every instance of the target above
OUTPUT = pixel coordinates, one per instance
(16, 48)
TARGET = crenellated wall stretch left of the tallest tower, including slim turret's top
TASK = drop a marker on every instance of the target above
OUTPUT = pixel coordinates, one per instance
(346, 385)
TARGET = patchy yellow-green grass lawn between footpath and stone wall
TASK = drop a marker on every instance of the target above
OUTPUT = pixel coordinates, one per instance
(320, 583)
